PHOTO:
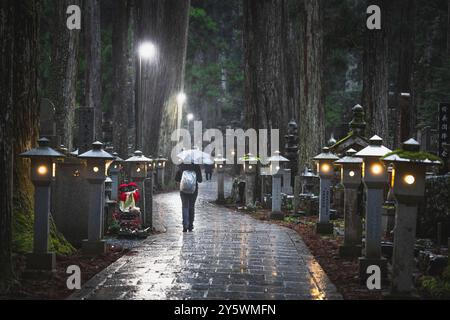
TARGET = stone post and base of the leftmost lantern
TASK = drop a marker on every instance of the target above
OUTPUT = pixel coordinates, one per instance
(41, 259)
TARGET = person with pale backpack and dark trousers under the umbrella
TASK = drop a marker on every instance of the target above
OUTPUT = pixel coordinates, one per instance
(189, 176)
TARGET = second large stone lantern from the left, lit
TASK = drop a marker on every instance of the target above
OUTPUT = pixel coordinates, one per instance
(97, 162)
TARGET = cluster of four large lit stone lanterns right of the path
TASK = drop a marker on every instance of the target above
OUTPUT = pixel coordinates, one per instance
(370, 166)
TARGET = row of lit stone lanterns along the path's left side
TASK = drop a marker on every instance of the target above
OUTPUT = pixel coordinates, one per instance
(97, 164)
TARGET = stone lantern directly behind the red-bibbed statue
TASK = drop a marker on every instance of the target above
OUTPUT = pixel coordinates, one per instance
(138, 168)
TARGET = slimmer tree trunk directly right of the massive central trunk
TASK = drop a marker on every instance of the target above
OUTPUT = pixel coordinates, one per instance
(312, 109)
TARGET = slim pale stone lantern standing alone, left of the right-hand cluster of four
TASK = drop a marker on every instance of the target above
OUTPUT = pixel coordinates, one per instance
(277, 172)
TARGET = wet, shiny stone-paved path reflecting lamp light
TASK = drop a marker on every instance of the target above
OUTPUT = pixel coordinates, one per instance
(228, 256)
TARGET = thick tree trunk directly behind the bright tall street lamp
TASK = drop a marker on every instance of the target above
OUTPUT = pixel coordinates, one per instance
(165, 24)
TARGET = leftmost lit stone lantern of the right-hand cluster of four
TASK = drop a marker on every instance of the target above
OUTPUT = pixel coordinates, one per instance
(325, 171)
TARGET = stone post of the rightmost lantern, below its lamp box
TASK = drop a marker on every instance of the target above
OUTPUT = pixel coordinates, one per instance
(403, 256)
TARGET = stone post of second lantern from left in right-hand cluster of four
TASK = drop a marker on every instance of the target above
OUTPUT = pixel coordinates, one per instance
(352, 224)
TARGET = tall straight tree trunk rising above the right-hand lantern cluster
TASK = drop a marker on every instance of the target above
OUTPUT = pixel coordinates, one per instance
(375, 75)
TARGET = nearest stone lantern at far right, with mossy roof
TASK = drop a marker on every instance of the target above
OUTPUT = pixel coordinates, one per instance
(408, 181)
